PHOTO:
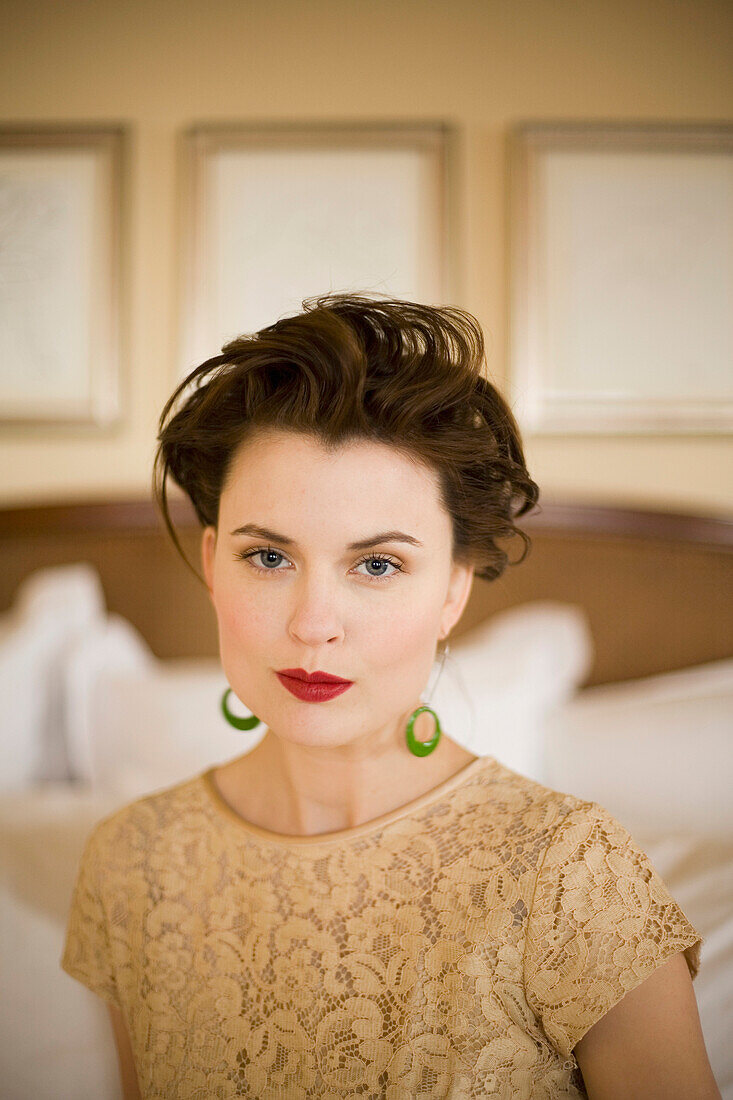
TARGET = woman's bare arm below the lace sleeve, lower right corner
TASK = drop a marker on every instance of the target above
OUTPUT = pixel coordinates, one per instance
(650, 1047)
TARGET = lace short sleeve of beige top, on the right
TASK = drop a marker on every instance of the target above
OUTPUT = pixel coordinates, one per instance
(601, 921)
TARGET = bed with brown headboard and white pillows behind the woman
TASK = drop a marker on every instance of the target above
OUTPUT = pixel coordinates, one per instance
(603, 666)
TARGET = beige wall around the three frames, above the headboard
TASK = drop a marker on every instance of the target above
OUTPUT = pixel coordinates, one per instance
(161, 65)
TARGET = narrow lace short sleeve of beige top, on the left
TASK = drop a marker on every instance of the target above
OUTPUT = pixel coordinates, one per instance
(87, 951)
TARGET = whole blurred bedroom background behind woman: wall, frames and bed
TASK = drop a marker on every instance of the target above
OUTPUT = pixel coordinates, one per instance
(173, 174)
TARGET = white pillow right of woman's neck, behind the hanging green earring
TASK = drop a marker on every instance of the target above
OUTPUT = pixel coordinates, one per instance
(505, 676)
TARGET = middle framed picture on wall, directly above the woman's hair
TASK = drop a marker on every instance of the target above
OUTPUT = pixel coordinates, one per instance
(272, 215)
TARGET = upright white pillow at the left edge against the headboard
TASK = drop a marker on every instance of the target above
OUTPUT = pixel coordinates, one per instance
(53, 608)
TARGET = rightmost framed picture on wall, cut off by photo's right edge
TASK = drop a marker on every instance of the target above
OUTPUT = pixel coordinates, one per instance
(622, 278)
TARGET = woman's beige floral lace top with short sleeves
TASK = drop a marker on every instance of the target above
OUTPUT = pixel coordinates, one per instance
(458, 947)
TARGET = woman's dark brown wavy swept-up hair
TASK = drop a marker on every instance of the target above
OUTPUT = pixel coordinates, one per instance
(353, 368)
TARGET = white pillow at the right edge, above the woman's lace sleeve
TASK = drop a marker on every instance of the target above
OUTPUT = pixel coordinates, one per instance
(658, 753)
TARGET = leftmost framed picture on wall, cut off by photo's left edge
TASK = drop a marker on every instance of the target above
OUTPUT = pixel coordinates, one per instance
(60, 279)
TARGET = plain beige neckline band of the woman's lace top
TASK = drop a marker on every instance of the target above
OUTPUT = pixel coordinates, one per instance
(215, 797)
